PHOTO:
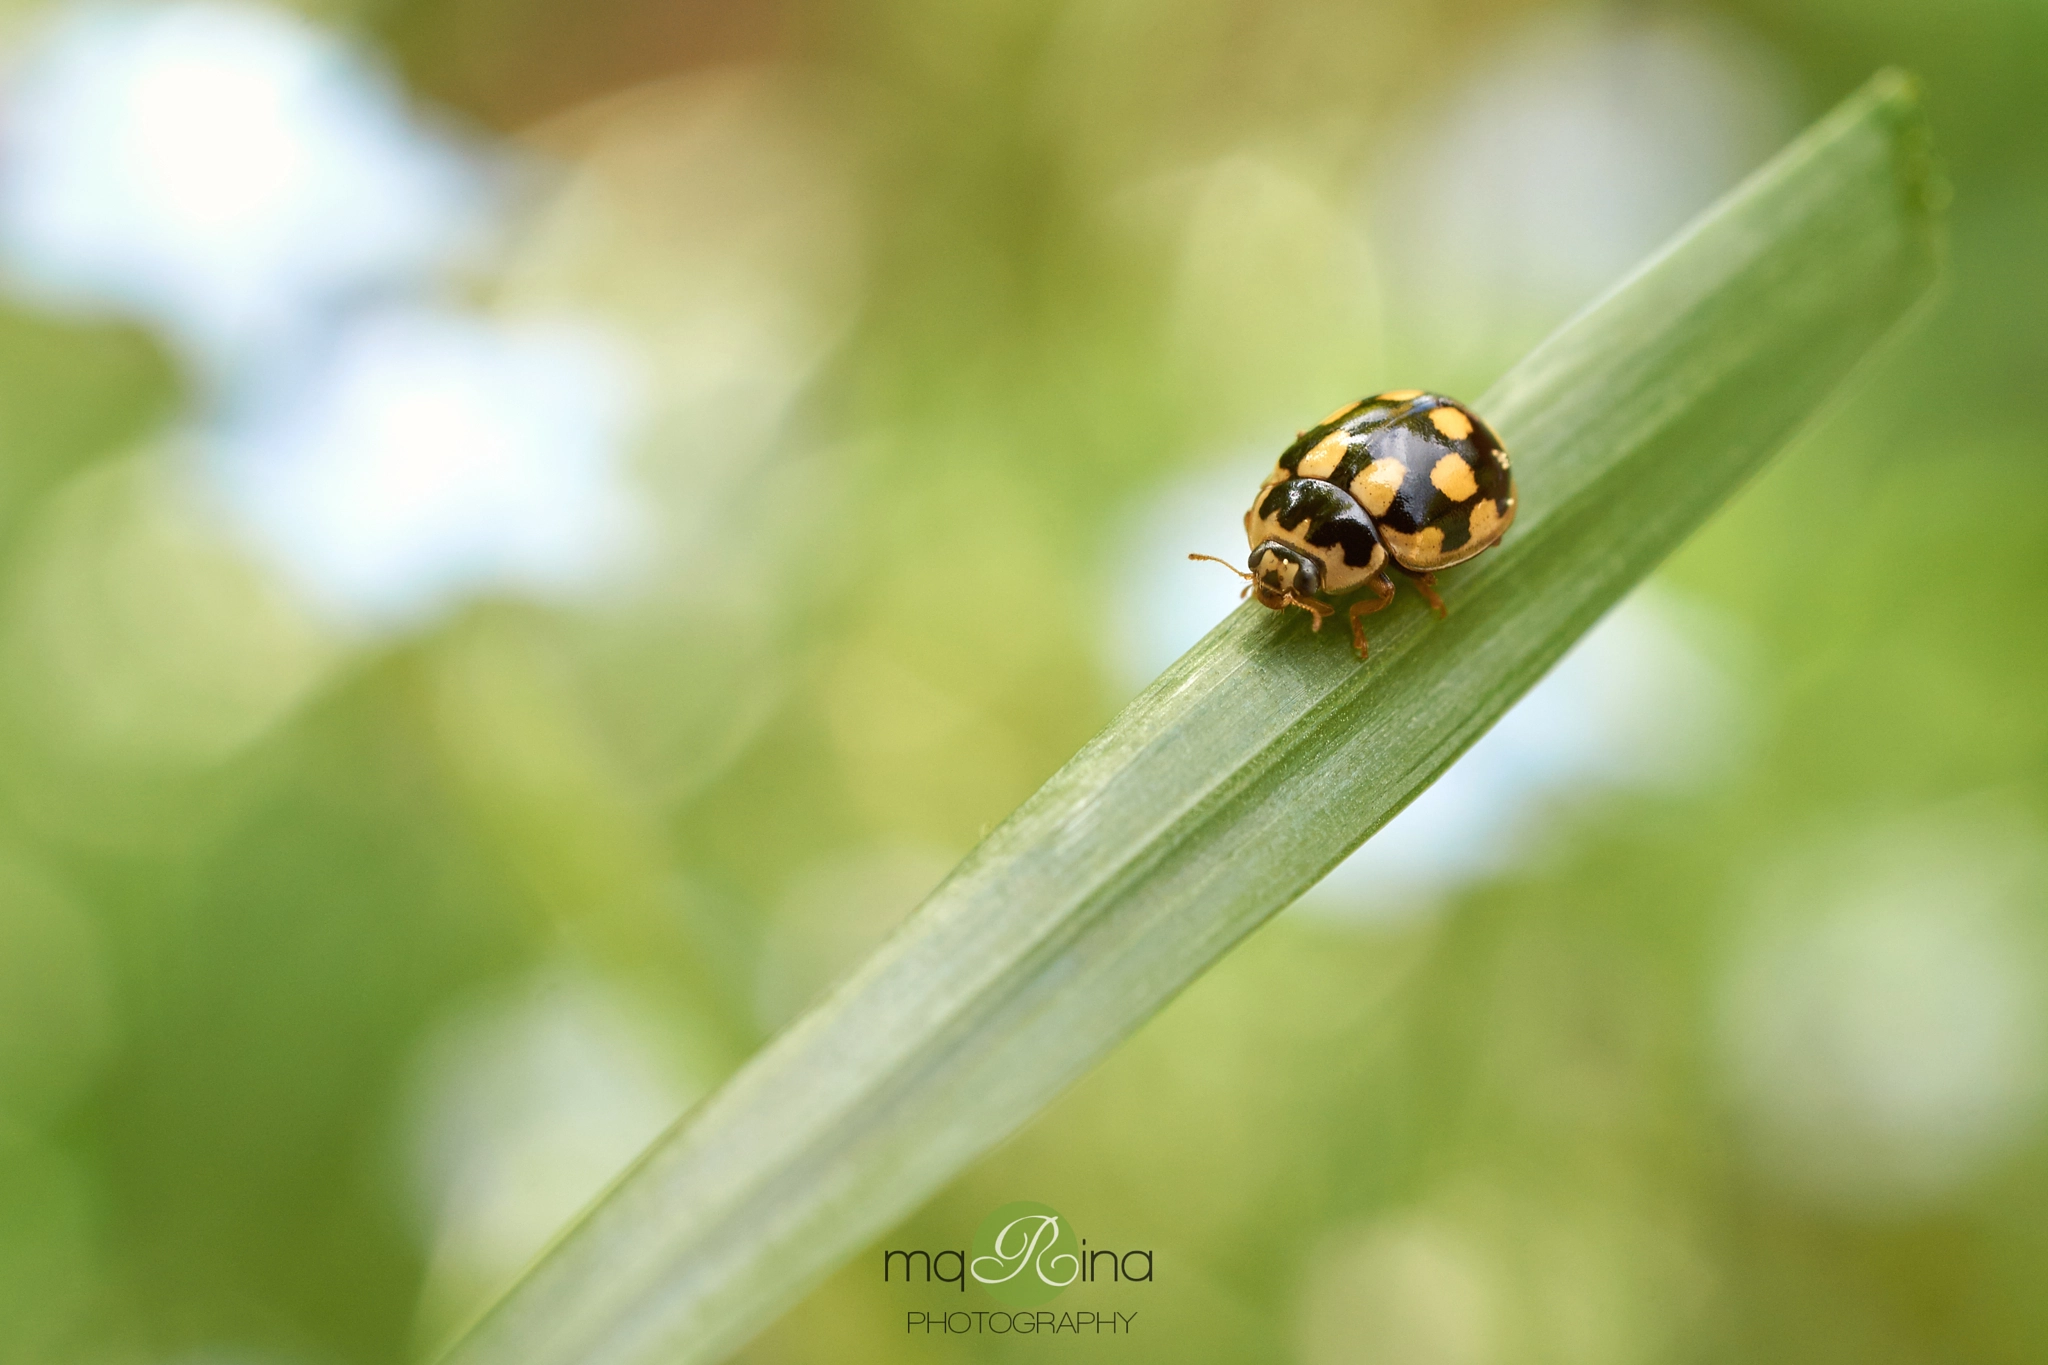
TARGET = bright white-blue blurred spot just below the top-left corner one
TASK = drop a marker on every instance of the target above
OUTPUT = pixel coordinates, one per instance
(425, 457)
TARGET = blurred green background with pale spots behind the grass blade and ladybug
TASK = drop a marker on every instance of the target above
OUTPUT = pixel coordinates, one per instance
(534, 533)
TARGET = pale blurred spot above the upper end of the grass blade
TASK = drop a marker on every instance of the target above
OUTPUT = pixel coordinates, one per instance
(1594, 140)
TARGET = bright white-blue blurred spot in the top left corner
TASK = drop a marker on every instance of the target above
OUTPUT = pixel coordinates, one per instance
(222, 173)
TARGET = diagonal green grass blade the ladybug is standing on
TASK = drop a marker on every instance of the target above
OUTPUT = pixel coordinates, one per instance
(1244, 775)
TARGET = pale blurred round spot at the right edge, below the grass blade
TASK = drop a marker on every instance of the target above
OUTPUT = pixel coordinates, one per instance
(1885, 1016)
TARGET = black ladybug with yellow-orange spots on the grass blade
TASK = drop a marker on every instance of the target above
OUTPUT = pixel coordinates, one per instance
(1404, 480)
